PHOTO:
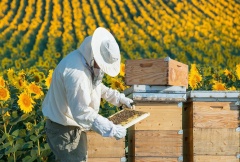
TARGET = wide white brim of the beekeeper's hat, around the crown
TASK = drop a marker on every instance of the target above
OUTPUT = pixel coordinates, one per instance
(99, 35)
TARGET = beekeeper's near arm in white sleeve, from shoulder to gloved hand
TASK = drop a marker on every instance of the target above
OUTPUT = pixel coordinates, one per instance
(78, 96)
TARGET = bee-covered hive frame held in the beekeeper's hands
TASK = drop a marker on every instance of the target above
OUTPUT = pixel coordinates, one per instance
(128, 117)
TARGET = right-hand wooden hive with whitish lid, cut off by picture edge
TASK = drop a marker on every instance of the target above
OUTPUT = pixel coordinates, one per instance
(211, 126)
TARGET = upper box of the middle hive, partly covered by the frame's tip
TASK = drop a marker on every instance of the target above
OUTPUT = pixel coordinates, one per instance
(162, 116)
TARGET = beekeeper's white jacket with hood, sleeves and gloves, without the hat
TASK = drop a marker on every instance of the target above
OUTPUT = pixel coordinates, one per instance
(73, 99)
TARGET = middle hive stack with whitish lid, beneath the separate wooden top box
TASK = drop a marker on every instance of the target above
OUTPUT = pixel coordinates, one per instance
(159, 136)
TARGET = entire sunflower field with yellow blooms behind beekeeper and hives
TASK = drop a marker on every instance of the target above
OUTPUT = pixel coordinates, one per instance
(36, 34)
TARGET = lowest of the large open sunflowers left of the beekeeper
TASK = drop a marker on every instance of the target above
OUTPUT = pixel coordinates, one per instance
(25, 102)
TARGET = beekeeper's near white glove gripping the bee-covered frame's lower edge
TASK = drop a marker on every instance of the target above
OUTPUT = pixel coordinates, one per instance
(106, 128)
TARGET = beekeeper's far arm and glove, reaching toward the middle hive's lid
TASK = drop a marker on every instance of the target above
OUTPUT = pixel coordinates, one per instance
(115, 97)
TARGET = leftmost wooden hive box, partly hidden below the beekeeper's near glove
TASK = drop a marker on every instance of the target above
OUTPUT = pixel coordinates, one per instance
(105, 148)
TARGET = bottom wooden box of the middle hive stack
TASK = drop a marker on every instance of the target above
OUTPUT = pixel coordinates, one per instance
(155, 145)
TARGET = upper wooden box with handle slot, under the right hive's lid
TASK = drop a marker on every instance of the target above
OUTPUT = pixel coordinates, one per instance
(210, 115)
